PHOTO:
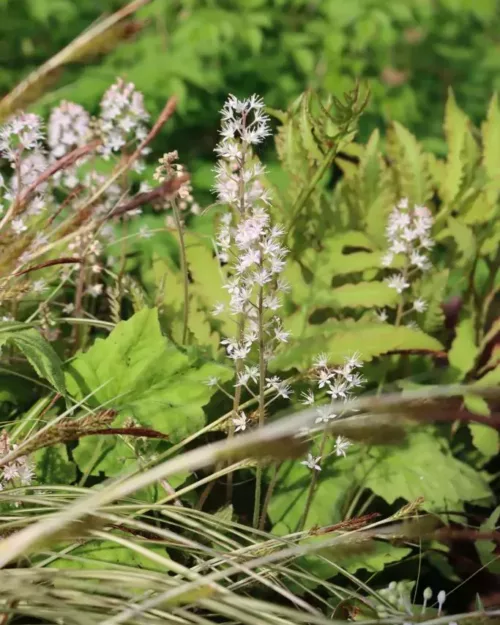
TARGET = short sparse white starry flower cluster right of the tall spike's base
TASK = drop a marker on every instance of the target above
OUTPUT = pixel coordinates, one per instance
(339, 384)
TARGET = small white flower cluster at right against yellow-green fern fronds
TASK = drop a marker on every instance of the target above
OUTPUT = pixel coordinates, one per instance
(409, 236)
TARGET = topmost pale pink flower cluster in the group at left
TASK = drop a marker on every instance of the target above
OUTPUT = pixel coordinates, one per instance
(123, 117)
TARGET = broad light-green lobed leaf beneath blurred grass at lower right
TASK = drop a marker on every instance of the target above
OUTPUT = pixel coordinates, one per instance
(424, 467)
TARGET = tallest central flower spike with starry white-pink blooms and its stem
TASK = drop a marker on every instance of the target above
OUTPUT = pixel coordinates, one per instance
(251, 248)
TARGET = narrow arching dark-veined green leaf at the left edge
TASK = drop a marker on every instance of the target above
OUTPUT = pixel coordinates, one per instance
(37, 350)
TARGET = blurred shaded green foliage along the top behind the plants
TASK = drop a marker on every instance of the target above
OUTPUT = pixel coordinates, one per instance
(410, 51)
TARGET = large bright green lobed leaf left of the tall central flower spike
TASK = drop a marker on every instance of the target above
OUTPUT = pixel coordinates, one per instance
(136, 371)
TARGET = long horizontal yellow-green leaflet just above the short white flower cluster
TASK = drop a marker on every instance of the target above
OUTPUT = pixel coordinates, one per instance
(341, 339)
